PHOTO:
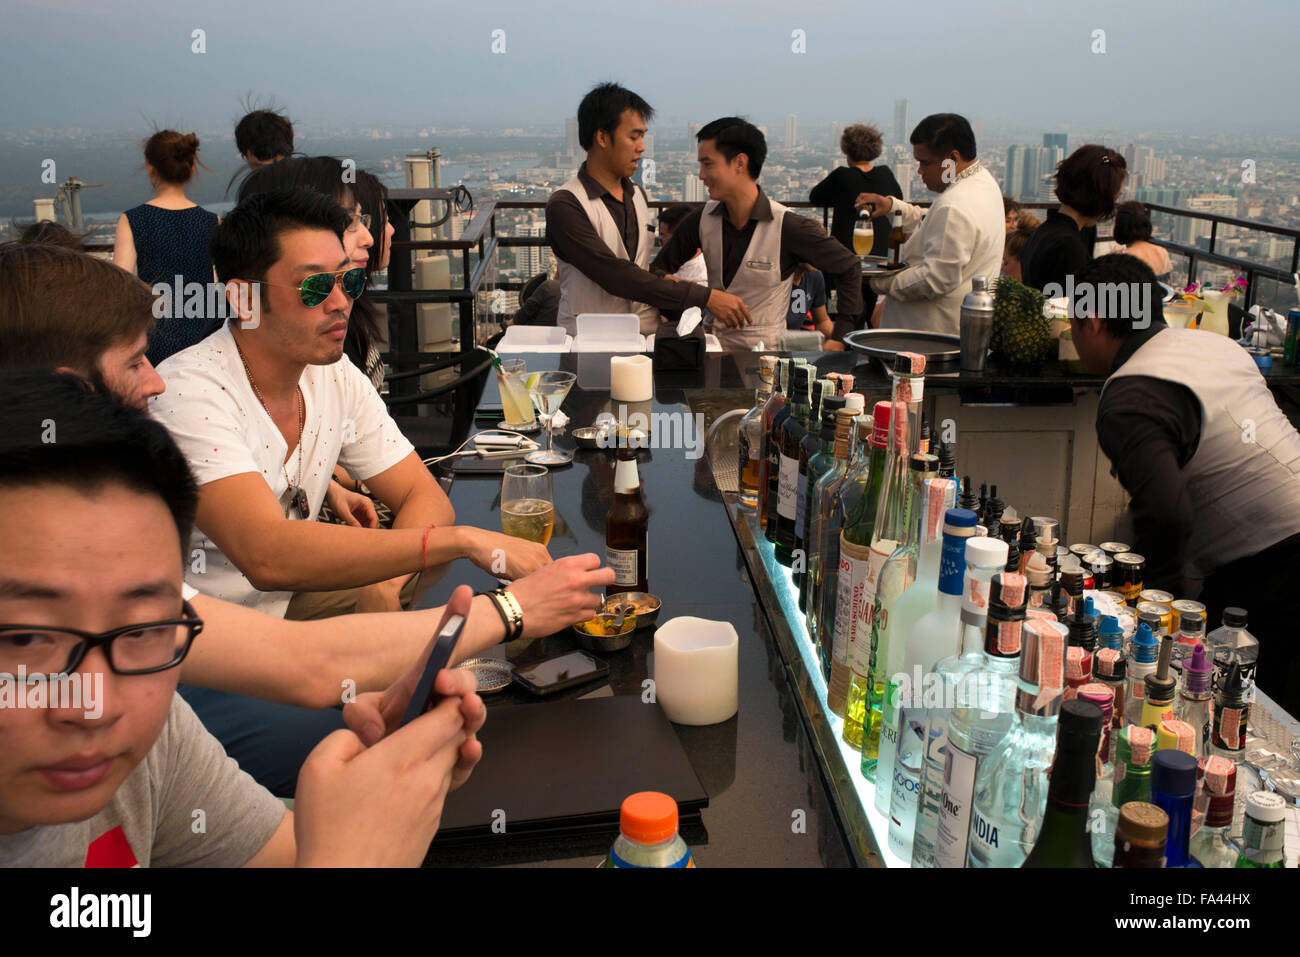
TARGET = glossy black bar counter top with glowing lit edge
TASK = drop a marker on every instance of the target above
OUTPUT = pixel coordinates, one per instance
(783, 790)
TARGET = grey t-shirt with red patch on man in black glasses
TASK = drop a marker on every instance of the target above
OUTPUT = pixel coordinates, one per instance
(151, 821)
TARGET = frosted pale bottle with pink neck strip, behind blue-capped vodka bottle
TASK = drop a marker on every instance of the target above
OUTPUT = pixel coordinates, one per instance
(911, 607)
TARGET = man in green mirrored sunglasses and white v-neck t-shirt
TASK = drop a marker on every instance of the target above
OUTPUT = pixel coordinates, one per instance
(265, 412)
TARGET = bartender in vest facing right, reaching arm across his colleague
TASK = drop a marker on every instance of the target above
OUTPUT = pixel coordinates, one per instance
(600, 228)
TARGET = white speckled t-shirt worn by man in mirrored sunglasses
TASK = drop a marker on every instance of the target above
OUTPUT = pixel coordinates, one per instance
(223, 430)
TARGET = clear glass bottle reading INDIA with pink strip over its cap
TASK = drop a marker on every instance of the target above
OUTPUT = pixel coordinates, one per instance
(1011, 785)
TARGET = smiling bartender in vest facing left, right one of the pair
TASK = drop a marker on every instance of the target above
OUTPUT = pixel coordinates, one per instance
(751, 244)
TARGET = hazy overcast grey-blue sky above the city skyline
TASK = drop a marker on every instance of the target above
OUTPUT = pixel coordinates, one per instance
(1168, 64)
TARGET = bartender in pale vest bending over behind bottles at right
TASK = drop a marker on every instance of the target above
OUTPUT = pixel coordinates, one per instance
(1212, 464)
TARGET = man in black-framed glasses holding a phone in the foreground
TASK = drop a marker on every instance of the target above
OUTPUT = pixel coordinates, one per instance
(96, 513)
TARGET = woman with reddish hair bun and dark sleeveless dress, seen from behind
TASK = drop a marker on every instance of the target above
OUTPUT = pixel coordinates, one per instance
(168, 237)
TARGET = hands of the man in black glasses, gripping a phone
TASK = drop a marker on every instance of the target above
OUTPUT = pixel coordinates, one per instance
(372, 796)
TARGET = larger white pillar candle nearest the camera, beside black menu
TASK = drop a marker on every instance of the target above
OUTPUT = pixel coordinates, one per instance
(696, 670)
